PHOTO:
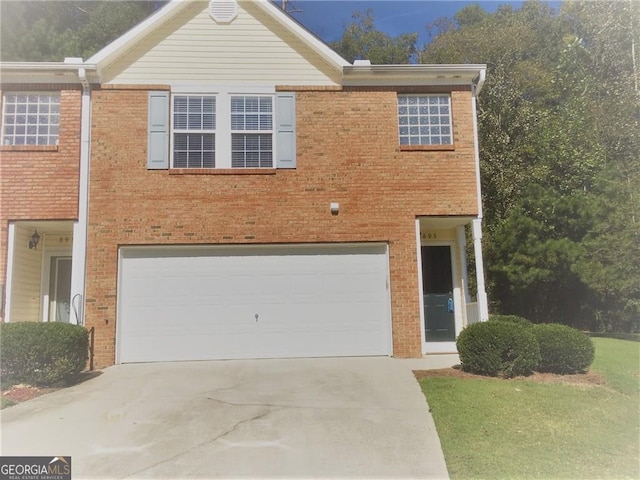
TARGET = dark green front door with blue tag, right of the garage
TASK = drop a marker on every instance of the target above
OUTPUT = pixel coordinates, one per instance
(437, 284)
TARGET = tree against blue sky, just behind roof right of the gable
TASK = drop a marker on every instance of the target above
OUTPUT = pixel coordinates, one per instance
(361, 40)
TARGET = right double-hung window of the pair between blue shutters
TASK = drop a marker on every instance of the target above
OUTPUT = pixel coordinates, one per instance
(251, 131)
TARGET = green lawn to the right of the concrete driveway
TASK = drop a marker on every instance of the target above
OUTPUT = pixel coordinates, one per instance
(491, 428)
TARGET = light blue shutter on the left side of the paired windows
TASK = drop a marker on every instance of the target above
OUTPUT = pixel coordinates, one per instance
(158, 136)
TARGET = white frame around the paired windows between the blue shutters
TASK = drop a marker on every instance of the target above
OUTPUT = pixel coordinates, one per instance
(223, 131)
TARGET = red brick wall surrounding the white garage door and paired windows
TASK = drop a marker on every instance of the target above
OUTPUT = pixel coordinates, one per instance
(348, 152)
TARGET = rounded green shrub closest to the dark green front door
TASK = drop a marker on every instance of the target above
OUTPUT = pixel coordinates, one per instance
(498, 349)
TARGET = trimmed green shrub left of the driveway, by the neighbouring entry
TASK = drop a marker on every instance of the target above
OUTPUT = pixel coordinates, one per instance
(42, 354)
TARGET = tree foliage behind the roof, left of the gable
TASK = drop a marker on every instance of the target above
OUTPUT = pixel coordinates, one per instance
(52, 30)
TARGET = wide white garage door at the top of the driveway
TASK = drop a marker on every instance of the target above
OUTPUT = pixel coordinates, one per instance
(202, 303)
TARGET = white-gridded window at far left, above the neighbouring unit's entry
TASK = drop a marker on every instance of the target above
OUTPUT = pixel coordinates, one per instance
(30, 118)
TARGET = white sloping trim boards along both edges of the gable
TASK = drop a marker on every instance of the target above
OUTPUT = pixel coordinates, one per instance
(118, 47)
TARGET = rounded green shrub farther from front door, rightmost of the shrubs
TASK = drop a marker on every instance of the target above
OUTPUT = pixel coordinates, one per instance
(563, 349)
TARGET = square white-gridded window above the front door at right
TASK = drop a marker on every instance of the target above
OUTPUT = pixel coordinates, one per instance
(424, 120)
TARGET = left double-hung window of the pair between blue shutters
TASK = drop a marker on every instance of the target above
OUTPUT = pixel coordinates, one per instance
(194, 131)
